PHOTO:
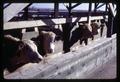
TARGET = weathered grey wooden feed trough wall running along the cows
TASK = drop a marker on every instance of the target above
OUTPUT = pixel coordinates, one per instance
(76, 64)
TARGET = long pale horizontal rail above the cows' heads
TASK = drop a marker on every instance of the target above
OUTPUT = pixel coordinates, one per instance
(44, 22)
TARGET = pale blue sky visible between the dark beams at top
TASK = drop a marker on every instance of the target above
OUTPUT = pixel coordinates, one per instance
(83, 6)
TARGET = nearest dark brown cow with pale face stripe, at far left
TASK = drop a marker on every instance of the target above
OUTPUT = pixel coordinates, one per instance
(18, 52)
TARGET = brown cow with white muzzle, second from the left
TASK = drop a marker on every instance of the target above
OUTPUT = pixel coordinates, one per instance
(45, 42)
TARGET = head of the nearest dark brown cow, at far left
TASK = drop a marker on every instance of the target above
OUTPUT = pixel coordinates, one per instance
(26, 52)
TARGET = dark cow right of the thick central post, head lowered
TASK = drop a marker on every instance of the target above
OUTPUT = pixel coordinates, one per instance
(81, 33)
